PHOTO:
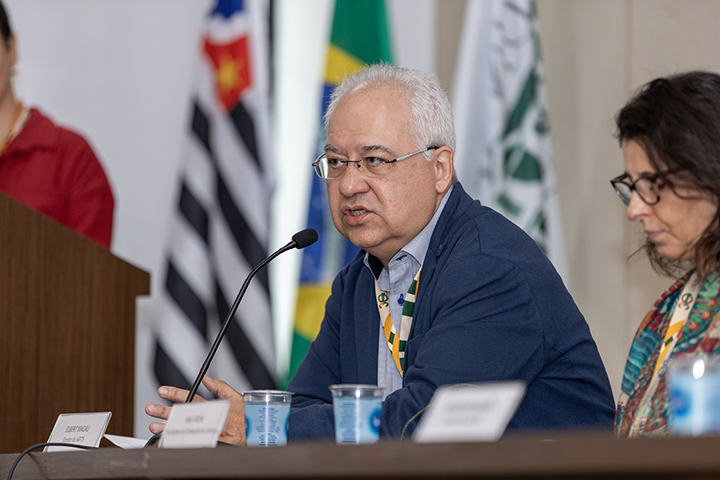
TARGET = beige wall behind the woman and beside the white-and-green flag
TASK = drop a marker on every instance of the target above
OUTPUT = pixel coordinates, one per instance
(596, 54)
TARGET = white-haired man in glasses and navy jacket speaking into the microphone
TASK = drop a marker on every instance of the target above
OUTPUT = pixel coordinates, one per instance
(488, 304)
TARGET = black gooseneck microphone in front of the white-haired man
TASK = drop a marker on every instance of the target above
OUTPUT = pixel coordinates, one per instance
(300, 240)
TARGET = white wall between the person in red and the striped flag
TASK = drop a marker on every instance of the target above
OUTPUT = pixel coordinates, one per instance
(120, 73)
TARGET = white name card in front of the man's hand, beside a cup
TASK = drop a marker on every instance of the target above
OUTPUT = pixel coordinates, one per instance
(195, 425)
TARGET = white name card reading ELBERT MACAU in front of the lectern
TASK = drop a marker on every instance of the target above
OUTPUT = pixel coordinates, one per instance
(78, 429)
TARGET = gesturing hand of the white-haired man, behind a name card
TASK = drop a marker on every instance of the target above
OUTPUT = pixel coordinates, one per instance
(234, 432)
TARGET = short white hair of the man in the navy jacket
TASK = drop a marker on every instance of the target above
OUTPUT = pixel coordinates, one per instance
(431, 122)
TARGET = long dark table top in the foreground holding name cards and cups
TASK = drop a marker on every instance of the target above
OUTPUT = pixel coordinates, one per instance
(567, 457)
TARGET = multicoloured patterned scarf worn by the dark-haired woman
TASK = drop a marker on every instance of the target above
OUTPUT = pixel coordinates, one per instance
(700, 334)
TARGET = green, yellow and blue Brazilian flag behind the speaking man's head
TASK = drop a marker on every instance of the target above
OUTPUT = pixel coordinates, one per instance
(360, 36)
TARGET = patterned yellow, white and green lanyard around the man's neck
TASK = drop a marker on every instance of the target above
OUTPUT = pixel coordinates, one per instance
(396, 343)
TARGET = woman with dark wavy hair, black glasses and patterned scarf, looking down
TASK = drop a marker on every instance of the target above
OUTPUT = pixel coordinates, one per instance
(670, 138)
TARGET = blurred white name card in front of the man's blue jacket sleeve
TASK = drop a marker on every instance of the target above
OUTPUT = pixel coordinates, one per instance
(470, 412)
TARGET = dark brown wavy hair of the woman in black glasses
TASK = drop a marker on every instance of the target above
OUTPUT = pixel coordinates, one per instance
(677, 121)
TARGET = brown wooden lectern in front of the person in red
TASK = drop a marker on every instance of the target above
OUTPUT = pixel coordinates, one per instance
(67, 327)
